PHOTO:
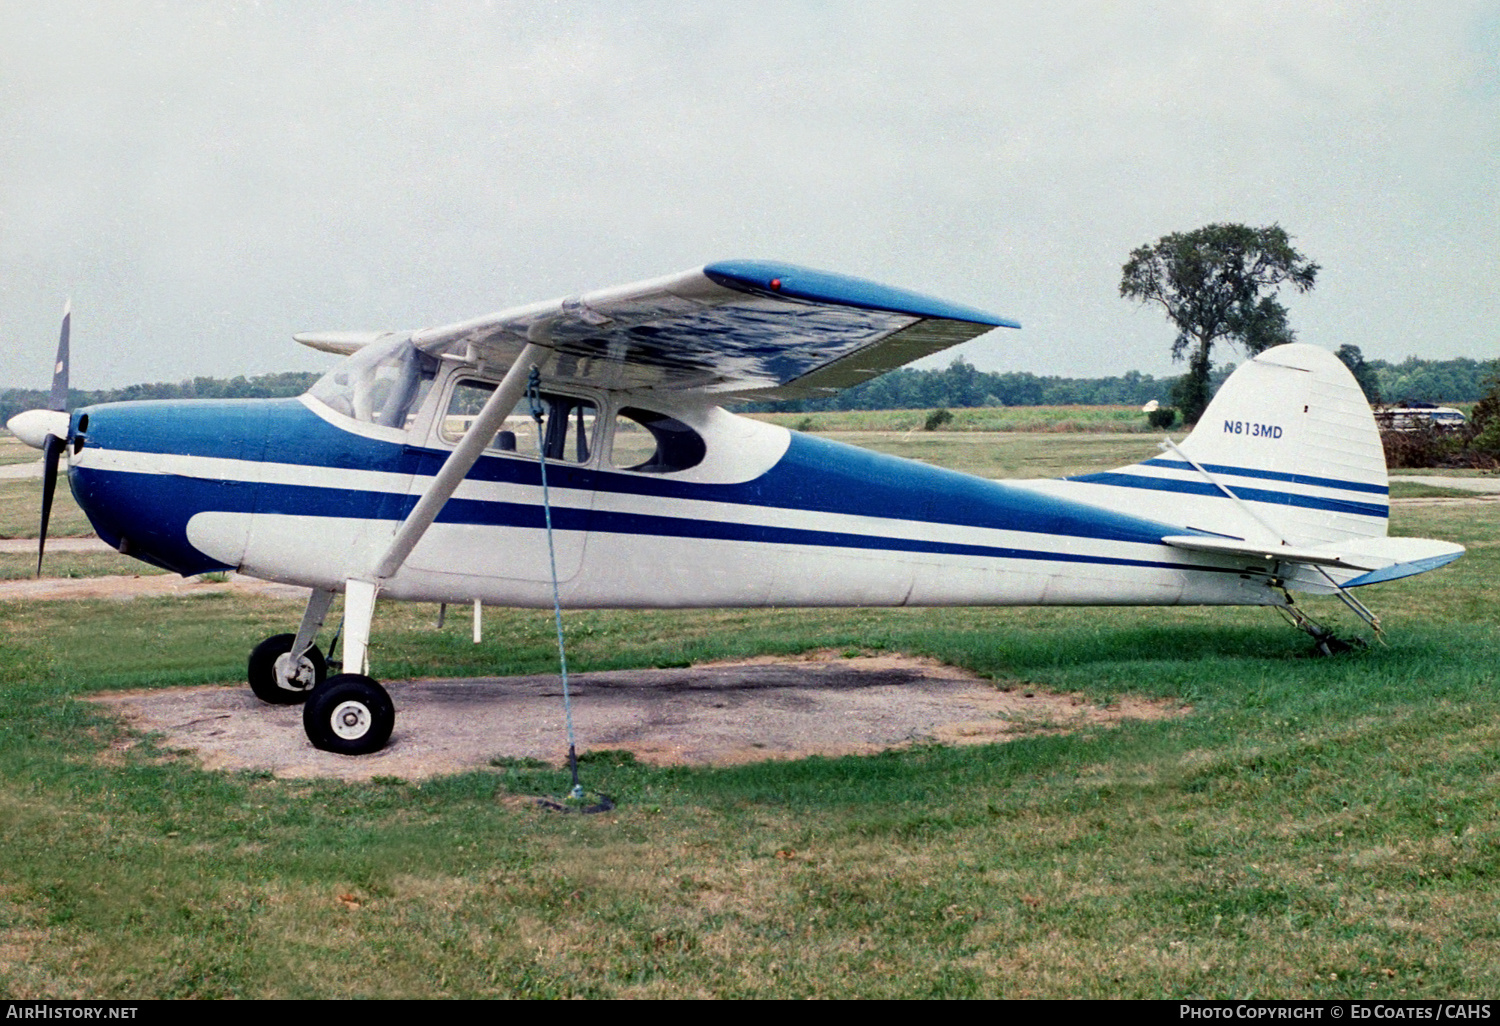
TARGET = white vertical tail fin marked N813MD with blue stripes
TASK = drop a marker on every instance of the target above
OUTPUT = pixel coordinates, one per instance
(1286, 454)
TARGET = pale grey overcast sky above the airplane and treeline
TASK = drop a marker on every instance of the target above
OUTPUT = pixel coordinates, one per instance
(206, 179)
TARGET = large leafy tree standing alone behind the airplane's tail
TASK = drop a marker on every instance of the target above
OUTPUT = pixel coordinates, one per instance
(1217, 284)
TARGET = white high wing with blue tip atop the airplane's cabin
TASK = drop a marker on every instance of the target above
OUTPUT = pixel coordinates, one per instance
(752, 328)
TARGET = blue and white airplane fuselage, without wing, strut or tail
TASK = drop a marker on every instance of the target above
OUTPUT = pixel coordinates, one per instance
(296, 491)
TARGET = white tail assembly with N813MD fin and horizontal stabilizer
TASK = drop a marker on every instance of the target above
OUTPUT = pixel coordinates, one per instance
(1286, 467)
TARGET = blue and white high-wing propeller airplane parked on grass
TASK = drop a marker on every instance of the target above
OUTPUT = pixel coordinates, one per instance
(415, 472)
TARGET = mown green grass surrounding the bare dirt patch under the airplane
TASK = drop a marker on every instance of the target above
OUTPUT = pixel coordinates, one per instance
(1312, 827)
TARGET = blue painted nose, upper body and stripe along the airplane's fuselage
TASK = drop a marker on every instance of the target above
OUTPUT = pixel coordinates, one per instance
(814, 478)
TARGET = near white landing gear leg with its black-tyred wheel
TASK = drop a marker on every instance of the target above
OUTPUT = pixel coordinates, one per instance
(350, 713)
